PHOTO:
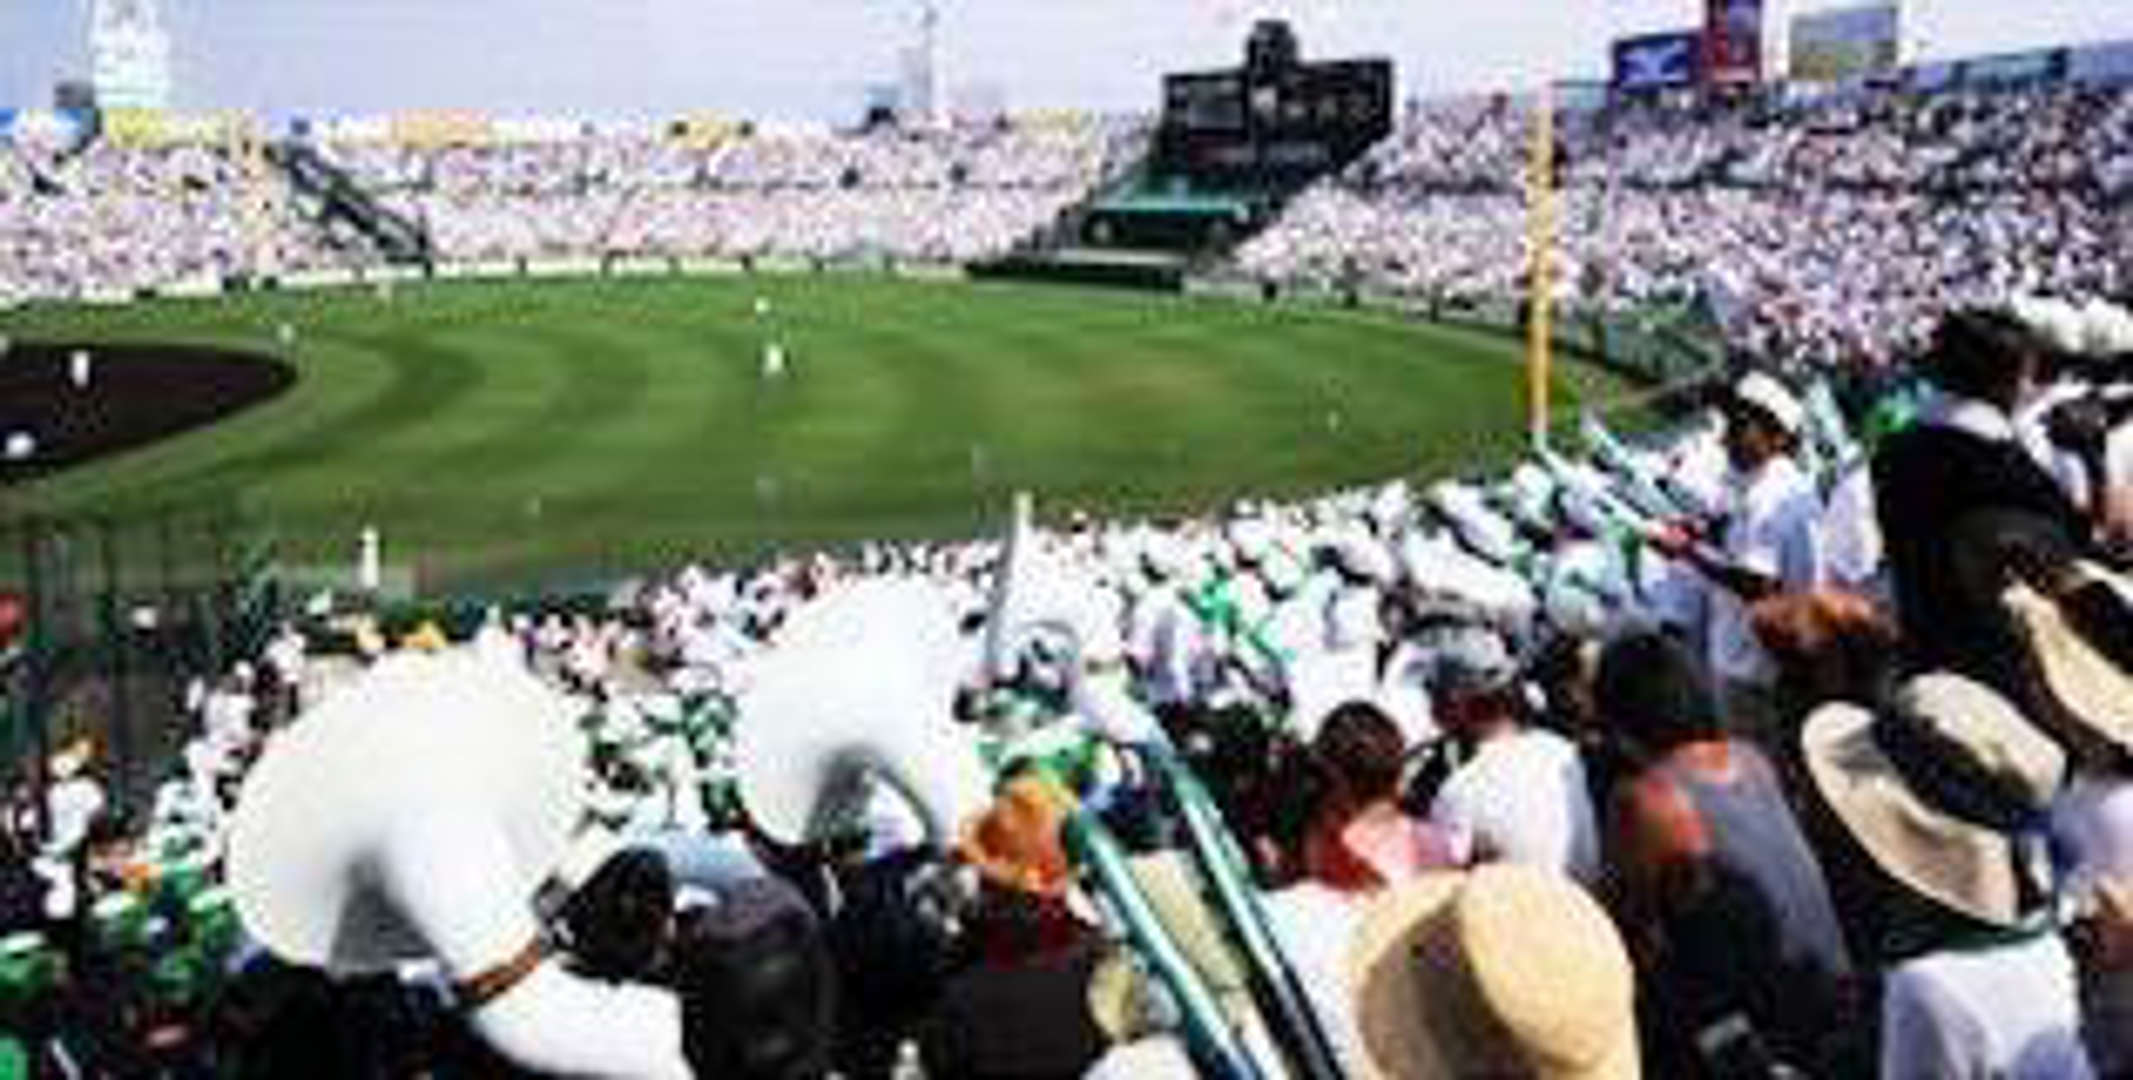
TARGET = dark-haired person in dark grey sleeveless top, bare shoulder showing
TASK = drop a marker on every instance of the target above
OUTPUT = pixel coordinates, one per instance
(1718, 893)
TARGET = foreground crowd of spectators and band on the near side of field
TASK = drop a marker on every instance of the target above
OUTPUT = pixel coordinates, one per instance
(1795, 742)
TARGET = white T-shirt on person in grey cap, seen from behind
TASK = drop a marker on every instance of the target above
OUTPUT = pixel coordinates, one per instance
(1522, 799)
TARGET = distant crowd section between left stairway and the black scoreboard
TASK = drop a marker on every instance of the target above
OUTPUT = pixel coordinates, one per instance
(912, 195)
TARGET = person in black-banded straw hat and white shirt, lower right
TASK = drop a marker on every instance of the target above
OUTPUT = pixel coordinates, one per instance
(1946, 795)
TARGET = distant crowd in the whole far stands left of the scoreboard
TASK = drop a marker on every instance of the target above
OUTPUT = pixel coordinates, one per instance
(103, 219)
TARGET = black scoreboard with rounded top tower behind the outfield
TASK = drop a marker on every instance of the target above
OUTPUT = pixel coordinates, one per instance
(1272, 121)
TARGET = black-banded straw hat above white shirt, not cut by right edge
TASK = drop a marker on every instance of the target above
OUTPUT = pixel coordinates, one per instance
(1944, 791)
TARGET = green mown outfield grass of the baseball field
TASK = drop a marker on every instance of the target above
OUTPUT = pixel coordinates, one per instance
(504, 432)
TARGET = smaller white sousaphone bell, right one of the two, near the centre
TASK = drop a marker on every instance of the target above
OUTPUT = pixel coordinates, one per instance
(861, 688)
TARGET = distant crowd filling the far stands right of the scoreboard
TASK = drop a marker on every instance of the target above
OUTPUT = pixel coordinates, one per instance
(1831, 234)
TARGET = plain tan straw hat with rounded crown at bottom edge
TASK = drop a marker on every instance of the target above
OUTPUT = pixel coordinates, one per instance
(1496, 972)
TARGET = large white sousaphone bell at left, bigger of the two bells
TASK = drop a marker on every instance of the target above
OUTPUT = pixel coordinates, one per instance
(417, 744)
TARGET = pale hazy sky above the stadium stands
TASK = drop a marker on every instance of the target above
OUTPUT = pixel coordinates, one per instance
(816, 59)
